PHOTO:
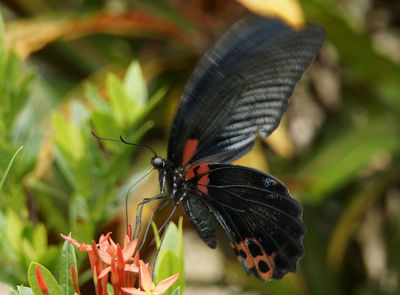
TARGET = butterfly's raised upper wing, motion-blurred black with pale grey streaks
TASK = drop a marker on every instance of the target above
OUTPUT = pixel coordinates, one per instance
(240, 88)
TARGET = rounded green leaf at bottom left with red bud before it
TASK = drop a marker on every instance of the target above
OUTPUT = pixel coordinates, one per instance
(52, 286)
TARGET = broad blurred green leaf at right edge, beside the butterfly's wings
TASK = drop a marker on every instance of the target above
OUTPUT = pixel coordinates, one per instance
(342, 159)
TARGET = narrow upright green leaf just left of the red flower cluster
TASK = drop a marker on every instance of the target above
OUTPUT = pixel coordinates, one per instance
(67, 258)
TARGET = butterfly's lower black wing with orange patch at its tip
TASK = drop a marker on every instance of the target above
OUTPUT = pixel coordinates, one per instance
(259, 216)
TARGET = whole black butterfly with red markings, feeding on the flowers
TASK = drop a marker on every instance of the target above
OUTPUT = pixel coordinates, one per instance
(239, 89)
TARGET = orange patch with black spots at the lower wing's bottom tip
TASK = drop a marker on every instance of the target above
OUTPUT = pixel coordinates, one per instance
(253, 262)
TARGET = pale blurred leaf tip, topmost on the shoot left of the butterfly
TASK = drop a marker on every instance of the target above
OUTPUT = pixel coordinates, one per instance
(135, 85)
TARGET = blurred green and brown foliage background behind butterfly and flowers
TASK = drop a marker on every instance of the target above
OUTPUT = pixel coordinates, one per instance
(118, 67)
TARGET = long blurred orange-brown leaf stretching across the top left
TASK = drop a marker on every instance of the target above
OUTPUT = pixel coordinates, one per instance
(30, 35)
